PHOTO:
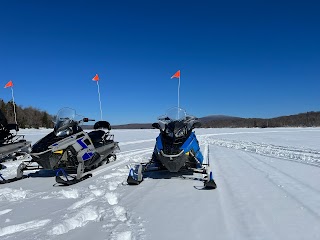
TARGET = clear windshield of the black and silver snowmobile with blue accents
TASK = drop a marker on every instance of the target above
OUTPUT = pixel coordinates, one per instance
(65, 120)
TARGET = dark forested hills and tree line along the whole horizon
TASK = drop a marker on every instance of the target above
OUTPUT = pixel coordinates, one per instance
(34, 118)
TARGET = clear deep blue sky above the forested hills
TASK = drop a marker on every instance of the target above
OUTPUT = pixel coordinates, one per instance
(239, 58)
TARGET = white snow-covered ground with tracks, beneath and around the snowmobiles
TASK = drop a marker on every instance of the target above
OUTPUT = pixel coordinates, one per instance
(268, 188)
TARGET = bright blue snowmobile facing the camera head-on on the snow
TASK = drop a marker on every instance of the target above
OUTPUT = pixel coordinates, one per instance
(176, 150)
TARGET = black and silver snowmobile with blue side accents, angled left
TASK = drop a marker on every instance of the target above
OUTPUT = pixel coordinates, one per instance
(68, 149)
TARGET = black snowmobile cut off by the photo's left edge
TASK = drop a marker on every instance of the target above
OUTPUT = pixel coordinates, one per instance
(12, 145)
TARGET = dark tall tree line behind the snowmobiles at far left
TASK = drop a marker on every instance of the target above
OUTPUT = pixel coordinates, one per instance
(26, 117)
